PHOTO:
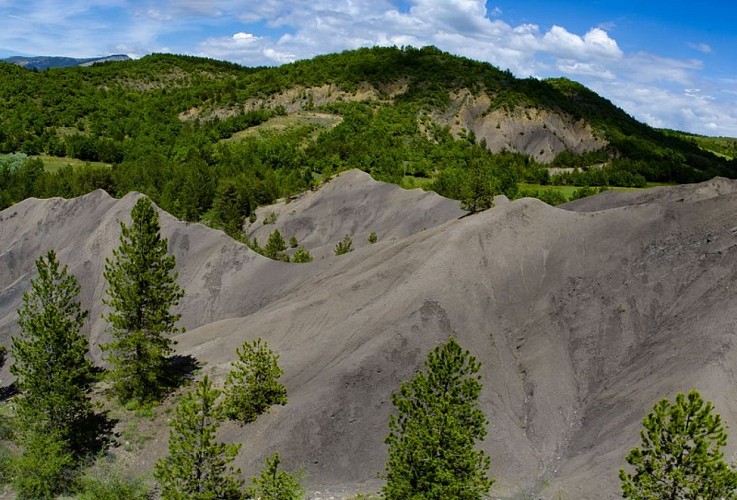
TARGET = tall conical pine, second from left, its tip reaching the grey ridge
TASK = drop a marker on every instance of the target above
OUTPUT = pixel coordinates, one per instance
(142, 289)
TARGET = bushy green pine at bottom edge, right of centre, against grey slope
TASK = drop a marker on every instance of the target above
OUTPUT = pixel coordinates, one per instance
(432, 438)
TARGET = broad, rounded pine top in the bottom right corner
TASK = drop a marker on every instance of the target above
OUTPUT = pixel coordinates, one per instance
(680, 455)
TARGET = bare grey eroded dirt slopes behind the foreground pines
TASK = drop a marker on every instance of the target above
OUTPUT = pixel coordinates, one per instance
(583, 316)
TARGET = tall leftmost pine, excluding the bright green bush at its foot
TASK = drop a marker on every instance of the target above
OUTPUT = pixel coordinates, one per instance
(52, 373)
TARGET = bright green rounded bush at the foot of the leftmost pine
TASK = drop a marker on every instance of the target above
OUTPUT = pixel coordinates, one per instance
(45, 468)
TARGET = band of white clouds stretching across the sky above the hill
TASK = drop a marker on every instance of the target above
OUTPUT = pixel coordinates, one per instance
(271, 32)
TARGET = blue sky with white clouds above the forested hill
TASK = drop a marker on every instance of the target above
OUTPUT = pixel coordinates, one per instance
(670, 64)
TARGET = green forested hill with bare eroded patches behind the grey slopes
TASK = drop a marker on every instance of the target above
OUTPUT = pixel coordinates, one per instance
(210, 140)
